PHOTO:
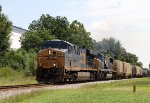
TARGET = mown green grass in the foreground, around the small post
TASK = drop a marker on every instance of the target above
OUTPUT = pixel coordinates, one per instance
(117, 92)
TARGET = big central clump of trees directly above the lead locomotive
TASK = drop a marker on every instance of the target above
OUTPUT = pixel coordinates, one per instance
(56, 27)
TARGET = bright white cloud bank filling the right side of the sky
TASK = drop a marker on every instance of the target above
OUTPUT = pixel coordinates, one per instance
(126, 20)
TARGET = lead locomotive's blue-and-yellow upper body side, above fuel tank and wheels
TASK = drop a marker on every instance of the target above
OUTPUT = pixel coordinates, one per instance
(80, 61)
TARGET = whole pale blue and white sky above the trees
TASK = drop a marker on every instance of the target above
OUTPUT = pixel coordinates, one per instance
(125, 20)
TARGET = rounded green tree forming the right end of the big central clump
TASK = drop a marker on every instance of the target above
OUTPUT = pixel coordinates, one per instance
(79, 35)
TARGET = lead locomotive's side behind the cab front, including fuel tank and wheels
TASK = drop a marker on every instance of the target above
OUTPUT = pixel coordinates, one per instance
(79, 65)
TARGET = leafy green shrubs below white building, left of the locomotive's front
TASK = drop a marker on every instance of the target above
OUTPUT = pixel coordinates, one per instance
(20, 60)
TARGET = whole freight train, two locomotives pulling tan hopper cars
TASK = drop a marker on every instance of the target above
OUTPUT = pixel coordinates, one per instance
(61, 61)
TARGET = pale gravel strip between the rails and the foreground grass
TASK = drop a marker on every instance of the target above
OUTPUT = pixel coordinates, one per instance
(13, 92)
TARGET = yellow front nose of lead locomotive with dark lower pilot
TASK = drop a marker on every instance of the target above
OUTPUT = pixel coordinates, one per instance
(50, 62)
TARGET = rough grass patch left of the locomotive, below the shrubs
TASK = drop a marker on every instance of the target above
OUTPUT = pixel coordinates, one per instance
(9, 76)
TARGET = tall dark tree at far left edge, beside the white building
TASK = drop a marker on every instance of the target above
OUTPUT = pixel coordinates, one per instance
(5, 29)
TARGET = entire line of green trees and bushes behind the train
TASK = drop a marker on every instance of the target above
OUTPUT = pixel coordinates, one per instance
(48, 28)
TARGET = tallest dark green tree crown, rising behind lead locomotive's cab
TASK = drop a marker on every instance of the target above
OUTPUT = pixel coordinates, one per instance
(58, 26)
